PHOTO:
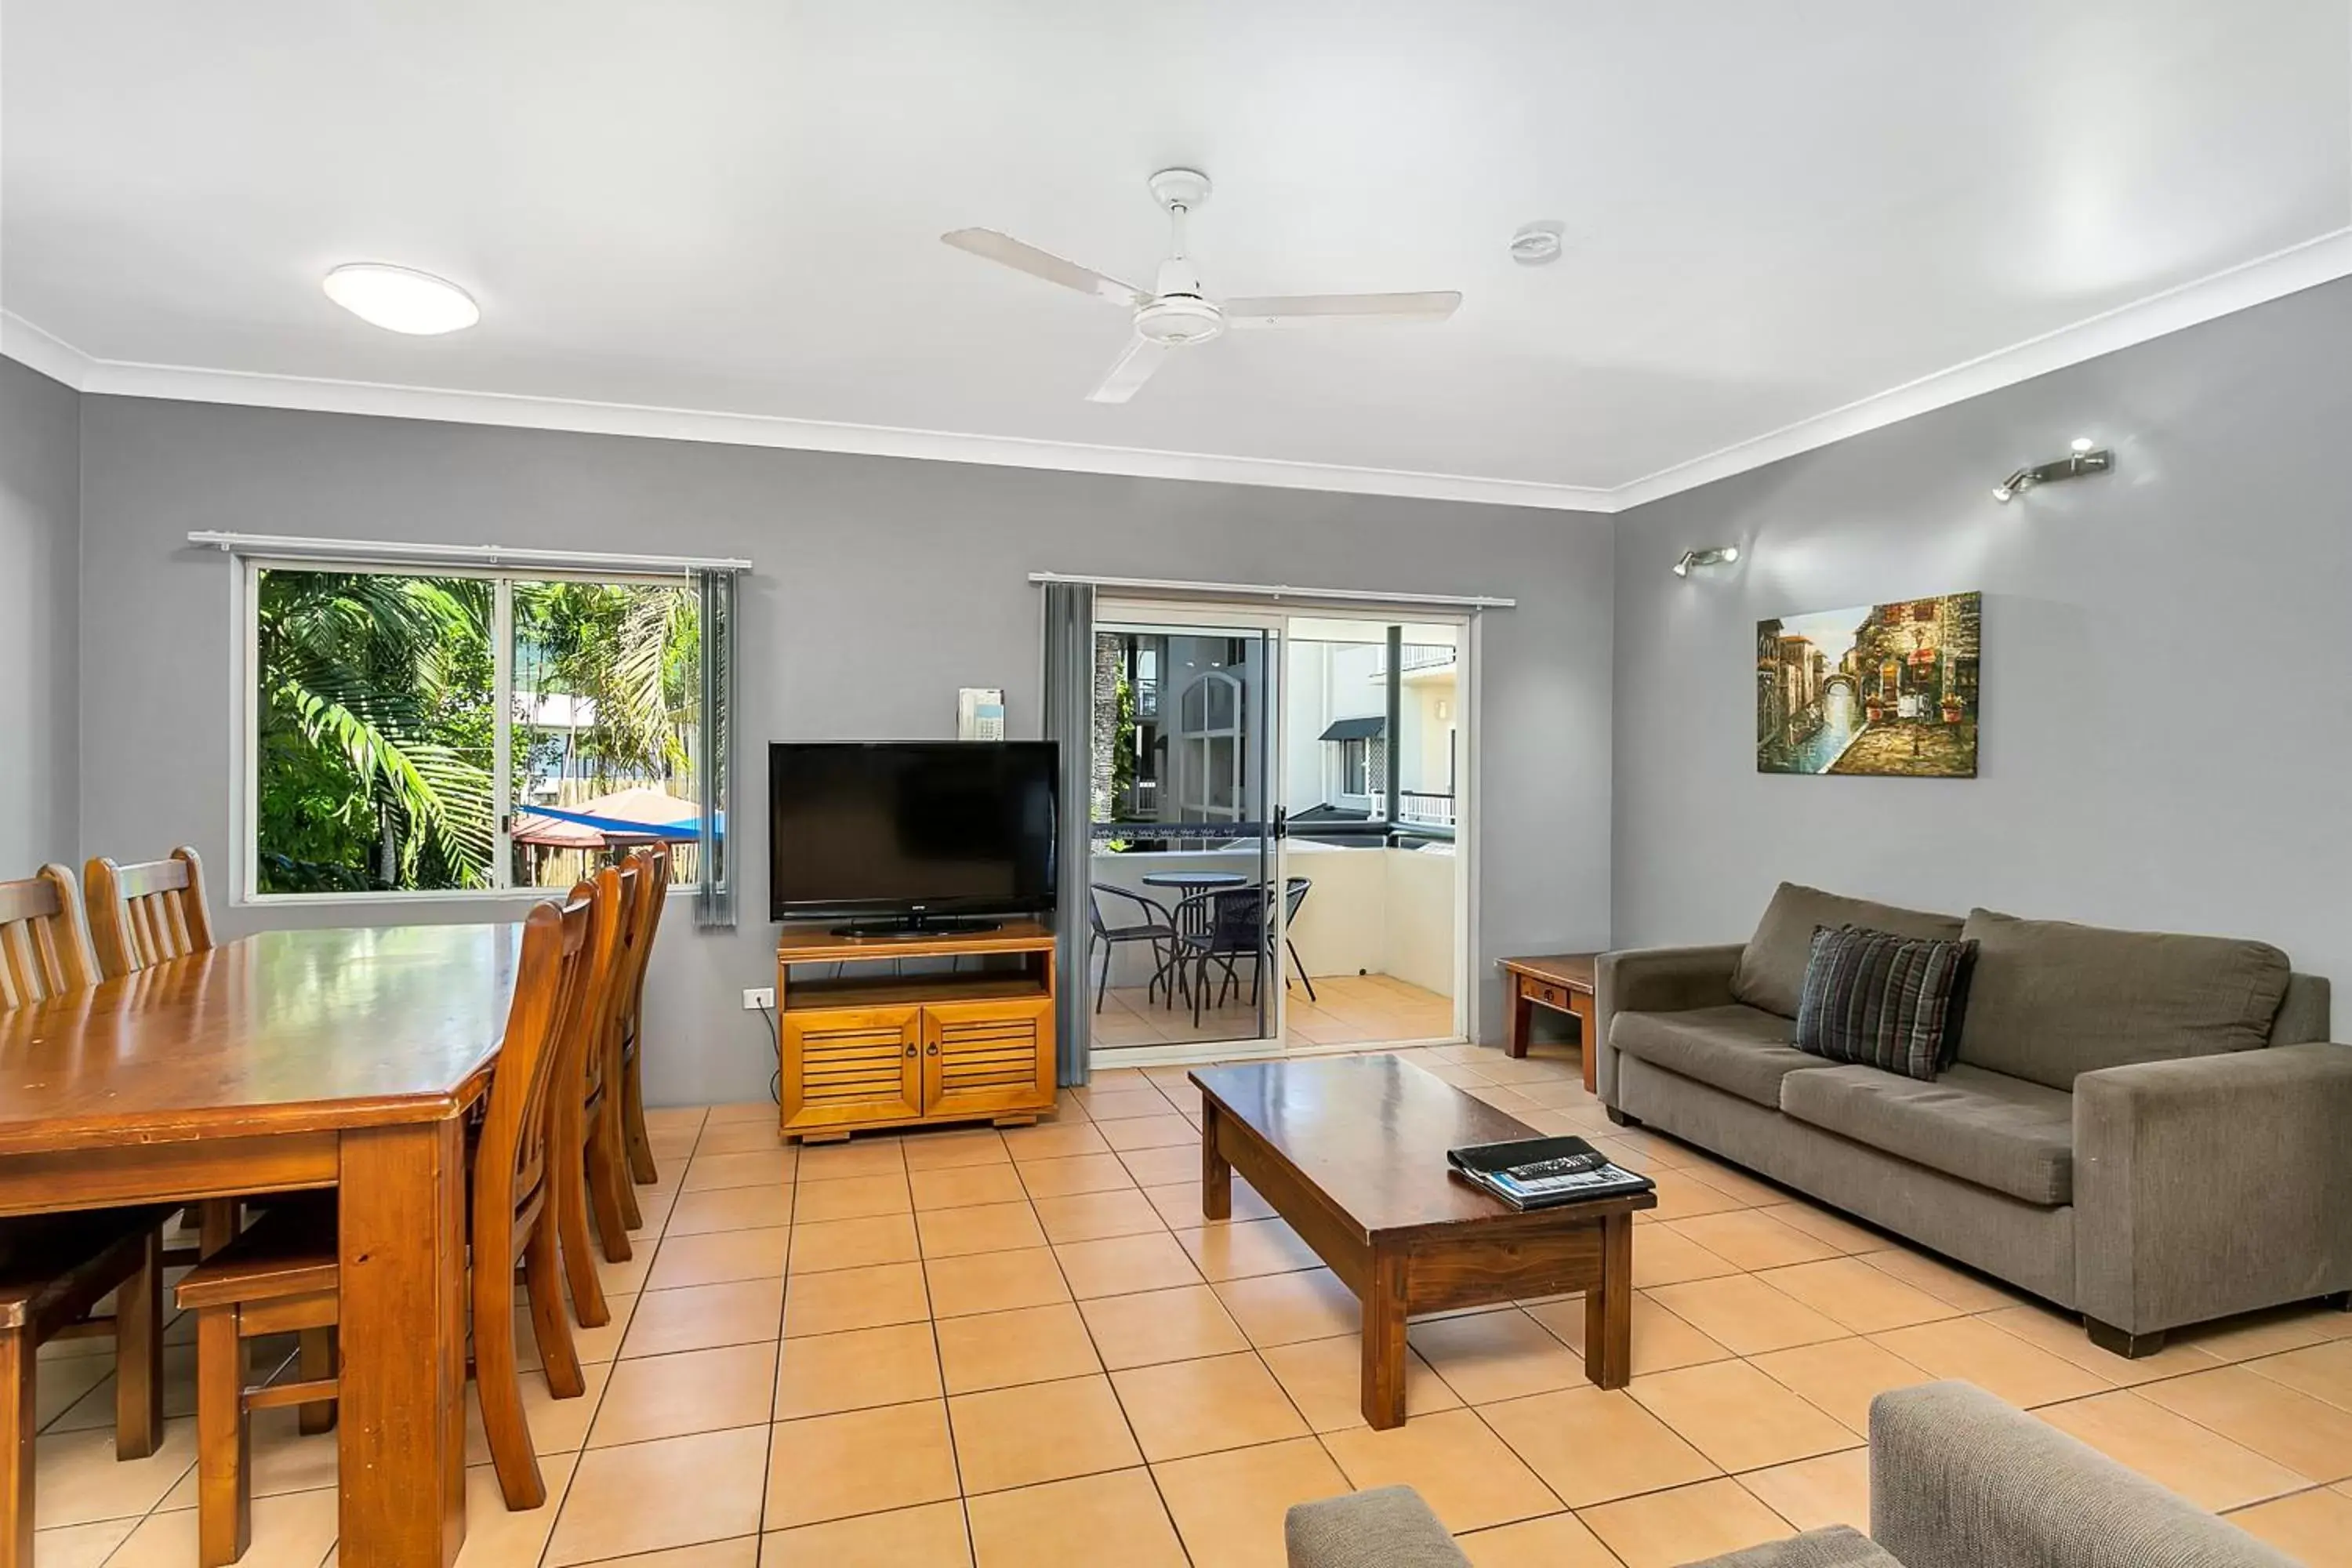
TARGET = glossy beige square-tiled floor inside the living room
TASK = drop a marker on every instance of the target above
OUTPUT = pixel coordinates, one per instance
(980, 1348)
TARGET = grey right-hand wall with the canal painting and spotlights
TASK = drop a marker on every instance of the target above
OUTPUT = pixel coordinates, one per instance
(2167, 728)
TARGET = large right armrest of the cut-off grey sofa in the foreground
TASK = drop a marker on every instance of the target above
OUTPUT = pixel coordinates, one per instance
(1960, 1480)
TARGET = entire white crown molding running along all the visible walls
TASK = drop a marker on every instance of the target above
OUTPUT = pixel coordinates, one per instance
(2240, 288)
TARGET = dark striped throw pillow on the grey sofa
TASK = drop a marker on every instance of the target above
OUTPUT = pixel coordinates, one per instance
(1885, 1000)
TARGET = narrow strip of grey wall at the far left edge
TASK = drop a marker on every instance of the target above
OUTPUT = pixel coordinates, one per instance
(41, 481)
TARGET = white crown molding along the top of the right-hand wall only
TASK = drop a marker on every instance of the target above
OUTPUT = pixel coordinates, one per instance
(2240, 288)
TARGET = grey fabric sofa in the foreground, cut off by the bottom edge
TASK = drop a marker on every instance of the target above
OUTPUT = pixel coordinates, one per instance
(1958, 1480)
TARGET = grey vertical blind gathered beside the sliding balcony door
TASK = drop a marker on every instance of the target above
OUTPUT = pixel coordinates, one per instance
(1069, 721)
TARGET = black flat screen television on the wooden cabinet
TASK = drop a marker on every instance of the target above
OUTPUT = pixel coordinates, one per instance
(911, 833)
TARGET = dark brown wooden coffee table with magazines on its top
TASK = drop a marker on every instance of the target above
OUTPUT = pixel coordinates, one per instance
(1354, 1153)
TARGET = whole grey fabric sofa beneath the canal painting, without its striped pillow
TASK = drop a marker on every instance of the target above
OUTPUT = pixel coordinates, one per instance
(2144, 1130)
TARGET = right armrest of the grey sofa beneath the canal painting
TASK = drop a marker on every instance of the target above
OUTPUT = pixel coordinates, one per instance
(2212, 1184)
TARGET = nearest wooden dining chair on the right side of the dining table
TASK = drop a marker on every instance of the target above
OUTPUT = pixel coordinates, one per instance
(283, 1273)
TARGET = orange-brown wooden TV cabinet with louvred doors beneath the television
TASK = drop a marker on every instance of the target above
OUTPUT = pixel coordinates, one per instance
(869, 1047)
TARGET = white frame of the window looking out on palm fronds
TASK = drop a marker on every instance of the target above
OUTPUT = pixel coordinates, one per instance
(246, 721)
